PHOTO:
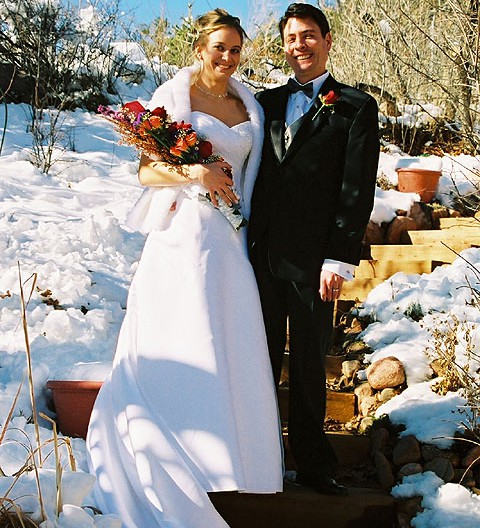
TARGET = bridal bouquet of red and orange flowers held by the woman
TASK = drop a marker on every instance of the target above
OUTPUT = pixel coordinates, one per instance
(154, 132)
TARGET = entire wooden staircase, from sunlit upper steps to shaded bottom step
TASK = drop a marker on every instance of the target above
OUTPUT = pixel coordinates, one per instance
(366, 505)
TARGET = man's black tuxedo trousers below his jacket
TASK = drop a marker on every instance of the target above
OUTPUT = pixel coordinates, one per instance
(310, 322)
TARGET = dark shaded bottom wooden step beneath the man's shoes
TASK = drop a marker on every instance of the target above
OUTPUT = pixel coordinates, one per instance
(299, 507)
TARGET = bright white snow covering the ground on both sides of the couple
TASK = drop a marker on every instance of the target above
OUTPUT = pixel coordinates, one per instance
(63, 237)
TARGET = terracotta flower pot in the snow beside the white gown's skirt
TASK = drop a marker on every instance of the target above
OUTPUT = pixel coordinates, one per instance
(73, 402)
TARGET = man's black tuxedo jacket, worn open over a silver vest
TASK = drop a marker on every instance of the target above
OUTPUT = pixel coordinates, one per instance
(313, 200)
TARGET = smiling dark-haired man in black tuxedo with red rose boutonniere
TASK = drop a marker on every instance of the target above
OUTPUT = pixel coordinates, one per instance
(310, 208)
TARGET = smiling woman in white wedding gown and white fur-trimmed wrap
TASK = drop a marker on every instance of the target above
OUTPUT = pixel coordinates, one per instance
(190, 405)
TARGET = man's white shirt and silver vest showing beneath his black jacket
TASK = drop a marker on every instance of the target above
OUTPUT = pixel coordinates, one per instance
(298, 104)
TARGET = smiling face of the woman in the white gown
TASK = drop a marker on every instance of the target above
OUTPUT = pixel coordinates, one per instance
(220, 54)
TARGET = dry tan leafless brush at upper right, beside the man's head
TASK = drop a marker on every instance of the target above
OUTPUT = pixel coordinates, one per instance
(414, 52)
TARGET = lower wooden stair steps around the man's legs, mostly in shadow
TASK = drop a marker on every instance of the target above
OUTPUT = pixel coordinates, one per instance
(365, 506)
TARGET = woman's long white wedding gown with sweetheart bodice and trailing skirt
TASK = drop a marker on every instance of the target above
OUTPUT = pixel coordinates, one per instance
(190, 405)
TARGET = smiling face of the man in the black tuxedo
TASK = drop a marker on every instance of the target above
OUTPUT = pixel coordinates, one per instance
(306, 48)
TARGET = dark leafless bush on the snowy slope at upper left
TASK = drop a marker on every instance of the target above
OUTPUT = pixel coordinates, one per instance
(56, 57)
